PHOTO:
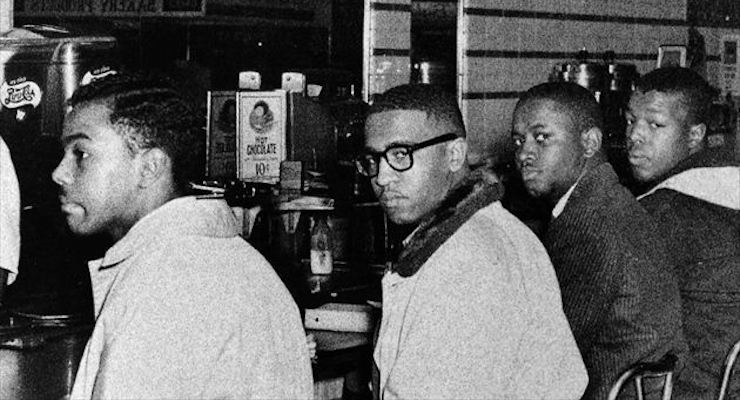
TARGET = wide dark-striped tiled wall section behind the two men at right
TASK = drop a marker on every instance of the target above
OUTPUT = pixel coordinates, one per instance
(508, 46)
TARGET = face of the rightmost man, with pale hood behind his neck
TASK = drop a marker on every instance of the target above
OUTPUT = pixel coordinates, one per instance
(657, 133)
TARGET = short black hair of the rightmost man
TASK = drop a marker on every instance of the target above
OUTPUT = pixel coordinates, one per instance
(693, 91)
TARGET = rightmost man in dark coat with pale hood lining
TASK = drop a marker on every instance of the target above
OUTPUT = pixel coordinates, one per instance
(694, 195)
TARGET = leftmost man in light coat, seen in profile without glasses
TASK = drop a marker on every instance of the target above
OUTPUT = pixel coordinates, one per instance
(184, 307)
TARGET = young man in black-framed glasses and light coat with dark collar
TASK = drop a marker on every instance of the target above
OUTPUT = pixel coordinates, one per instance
(471, 309)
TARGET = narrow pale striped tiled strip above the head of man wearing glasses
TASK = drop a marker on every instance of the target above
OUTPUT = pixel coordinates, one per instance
(387, 45)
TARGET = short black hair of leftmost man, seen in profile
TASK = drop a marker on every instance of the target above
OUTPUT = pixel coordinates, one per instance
(148, 111)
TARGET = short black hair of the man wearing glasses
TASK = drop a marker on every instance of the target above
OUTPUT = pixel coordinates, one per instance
(434, 100)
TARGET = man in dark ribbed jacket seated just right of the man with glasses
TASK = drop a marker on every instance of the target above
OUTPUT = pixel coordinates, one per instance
(619, 292)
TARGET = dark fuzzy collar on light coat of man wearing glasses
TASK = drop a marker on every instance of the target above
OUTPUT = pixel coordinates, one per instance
(476, 191)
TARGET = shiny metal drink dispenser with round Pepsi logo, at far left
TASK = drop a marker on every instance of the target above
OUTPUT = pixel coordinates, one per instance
(40, 68)
